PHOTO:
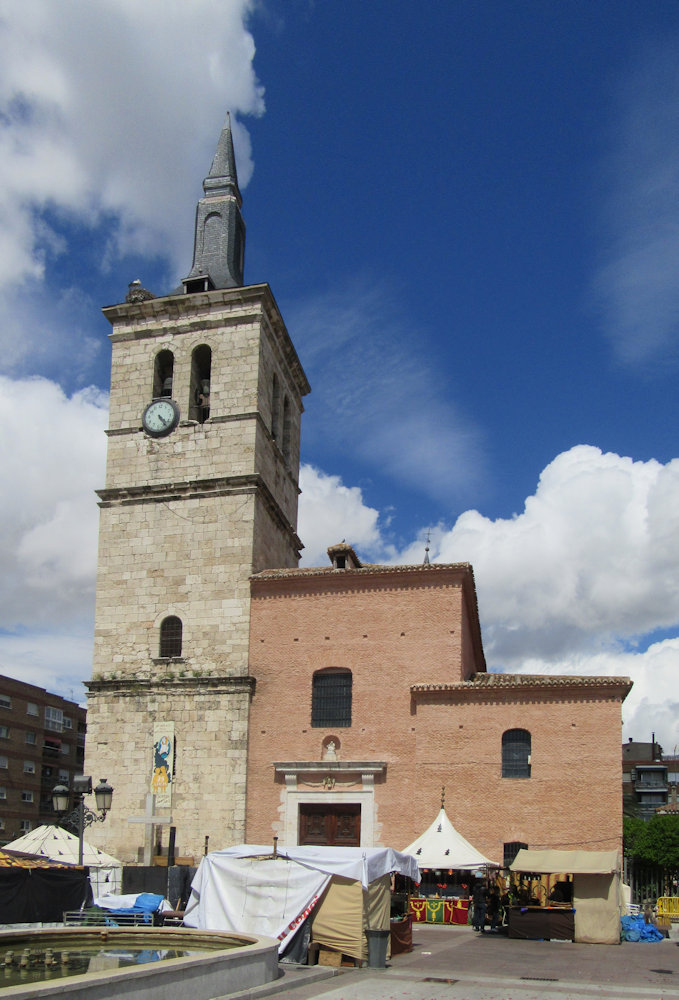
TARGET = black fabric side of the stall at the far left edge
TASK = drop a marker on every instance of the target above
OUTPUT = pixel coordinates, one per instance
(37, 895)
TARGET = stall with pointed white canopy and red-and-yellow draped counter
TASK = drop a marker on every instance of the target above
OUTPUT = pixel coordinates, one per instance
(447, 862)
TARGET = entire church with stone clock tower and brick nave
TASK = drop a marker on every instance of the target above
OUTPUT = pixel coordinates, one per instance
(238, 697)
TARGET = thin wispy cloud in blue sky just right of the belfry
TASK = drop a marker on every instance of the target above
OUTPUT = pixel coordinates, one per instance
(381, 401)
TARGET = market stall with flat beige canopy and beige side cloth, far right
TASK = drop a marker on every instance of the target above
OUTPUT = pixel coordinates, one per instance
(591, 915)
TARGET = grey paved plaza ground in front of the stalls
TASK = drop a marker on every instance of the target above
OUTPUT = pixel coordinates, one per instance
(454, 963)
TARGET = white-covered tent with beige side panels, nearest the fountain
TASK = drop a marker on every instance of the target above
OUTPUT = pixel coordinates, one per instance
(343, 889)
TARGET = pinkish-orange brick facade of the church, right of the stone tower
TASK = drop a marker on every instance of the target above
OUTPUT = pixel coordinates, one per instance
(425, 714)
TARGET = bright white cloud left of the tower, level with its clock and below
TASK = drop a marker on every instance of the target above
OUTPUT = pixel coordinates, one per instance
(52, 453)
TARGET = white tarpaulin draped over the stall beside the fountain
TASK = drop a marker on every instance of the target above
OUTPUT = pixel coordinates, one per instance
(246, 889)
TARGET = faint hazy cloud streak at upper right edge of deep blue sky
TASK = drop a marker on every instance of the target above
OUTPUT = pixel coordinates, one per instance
(636, 283)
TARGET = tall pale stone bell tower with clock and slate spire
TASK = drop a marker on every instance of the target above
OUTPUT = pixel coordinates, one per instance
(201, 492)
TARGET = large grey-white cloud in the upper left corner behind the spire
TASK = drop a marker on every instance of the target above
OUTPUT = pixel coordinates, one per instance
(90, 113)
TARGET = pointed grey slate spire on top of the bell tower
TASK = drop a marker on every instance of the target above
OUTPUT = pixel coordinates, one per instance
(219, 243)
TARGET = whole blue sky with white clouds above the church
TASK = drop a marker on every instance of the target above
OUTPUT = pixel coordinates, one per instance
(469, 216)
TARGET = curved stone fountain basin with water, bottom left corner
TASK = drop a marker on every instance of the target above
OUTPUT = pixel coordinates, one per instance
(219, 964)
